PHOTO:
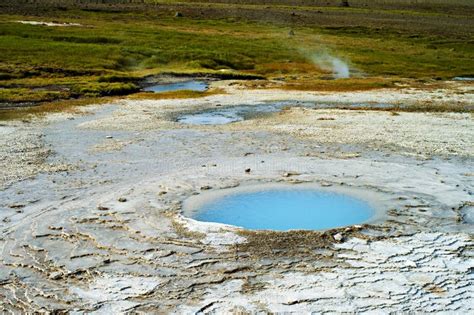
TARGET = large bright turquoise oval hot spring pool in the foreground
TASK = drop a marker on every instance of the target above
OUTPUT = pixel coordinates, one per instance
(285, 209)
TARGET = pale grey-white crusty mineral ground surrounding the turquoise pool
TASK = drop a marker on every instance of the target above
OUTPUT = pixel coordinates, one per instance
(91, 208)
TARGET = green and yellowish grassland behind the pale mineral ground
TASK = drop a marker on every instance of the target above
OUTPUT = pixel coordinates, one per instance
(114, 49)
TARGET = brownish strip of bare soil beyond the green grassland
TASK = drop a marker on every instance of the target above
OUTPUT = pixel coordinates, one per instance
(429, 17)
